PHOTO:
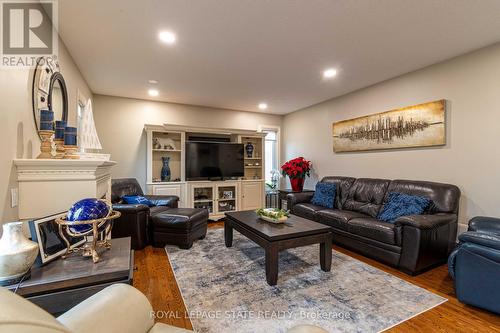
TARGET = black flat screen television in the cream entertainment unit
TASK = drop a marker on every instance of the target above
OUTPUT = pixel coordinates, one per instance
(214, 160)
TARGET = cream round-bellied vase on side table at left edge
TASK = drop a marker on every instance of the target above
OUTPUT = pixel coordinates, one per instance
(17, 253)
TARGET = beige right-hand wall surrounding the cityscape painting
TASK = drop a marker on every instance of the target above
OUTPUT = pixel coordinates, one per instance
(471, 158)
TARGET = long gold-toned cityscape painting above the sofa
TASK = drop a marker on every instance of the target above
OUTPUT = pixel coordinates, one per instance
(421, 125)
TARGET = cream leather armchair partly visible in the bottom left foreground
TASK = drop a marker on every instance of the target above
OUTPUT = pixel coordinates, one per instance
(118, 308)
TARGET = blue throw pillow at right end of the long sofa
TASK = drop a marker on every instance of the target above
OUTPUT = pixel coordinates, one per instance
(400, 204)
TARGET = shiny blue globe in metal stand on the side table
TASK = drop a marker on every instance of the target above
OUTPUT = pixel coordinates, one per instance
(84, 210)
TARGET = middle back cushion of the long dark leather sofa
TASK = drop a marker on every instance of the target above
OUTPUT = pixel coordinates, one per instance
(366, 196)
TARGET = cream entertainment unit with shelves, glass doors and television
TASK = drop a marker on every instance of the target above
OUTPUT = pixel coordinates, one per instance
(218, 169)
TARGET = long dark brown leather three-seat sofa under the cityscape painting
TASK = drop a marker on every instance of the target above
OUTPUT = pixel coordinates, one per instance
(413, 243)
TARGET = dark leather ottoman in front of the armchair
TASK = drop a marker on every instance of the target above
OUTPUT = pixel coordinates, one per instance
(179, 226)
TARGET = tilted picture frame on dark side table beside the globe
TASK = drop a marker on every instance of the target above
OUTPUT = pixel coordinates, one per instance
(45, 232)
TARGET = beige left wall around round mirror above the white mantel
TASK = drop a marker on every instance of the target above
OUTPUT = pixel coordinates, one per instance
(18, 132)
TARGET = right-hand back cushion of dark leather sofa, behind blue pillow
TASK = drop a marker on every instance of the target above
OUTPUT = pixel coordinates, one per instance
(444, 197)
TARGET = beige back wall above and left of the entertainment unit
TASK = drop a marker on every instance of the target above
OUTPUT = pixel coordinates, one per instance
(120, 126)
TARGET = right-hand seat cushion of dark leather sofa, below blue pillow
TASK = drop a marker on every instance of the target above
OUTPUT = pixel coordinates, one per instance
(372, 228)
